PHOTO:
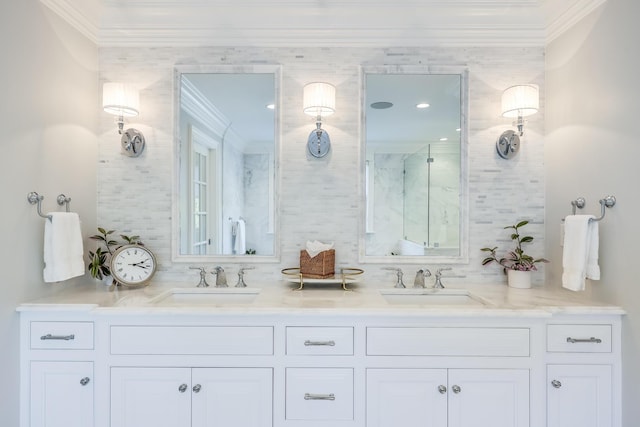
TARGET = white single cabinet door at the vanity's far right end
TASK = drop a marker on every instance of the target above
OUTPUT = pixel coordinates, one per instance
(579, 396)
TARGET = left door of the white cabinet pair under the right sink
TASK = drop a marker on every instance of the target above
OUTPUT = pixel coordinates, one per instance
(406, 397)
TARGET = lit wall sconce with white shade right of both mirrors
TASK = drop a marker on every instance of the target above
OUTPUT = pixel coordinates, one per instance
(518, 102)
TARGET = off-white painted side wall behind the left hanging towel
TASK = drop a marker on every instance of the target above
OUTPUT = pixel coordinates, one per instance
(48, 111)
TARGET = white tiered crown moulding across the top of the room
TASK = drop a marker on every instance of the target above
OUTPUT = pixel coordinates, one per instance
(328, 23)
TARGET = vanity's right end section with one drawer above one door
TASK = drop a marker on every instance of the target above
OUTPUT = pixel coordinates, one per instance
(582, 368)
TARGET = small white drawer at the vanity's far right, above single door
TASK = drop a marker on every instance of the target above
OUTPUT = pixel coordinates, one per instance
(579, 338)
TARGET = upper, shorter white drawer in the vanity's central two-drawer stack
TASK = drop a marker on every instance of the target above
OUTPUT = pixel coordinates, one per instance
(303, 340)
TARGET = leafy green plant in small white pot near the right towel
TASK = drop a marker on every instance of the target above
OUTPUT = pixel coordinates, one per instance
(516, 264)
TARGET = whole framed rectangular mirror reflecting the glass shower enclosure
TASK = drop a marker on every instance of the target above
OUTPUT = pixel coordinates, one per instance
(415, 174)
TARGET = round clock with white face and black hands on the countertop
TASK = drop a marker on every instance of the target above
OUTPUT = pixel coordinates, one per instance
(133, 265)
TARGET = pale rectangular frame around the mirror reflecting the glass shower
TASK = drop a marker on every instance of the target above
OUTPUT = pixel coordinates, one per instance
(463, 256)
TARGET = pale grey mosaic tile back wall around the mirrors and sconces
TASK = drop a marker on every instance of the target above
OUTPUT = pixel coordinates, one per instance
(318, 198)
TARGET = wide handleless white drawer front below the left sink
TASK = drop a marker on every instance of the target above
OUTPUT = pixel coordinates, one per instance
(216, 340)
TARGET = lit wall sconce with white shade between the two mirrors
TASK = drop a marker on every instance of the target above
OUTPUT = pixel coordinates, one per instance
(320, 101)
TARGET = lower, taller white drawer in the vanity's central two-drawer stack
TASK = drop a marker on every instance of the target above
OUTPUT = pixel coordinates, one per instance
(319, 394)
